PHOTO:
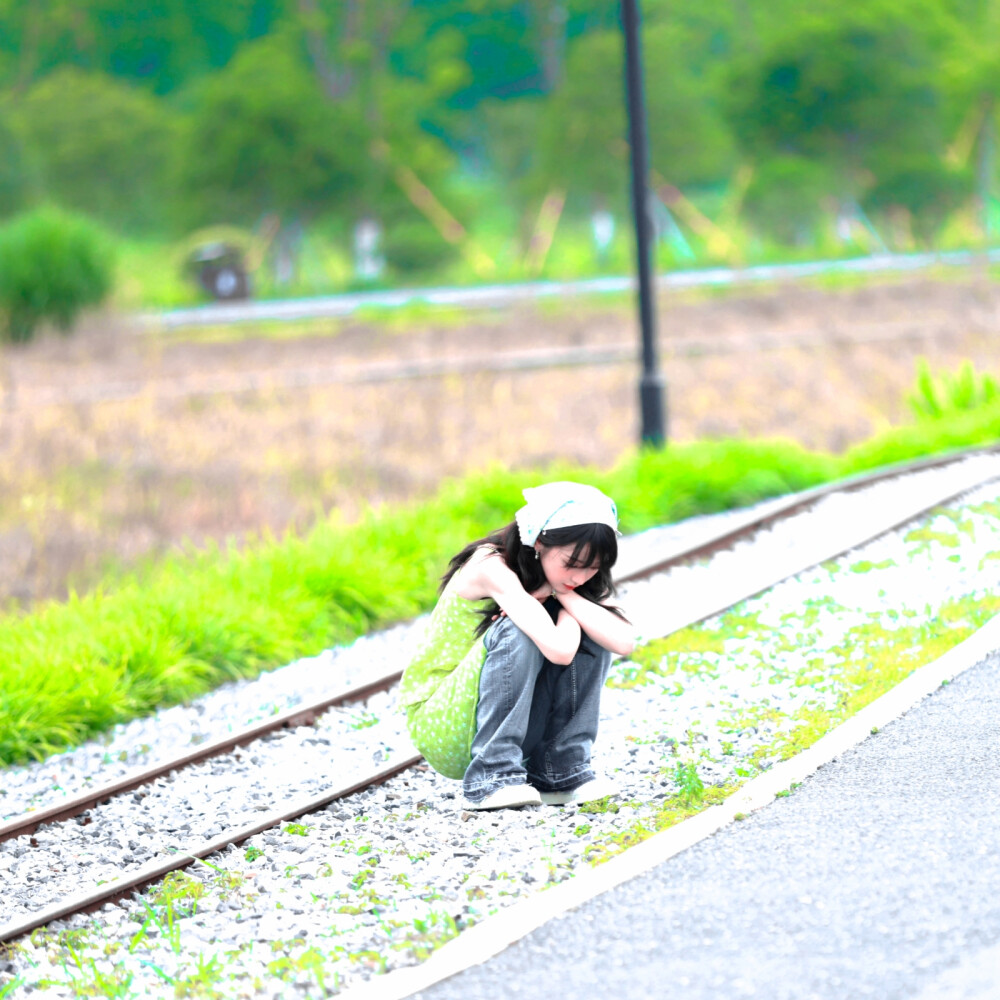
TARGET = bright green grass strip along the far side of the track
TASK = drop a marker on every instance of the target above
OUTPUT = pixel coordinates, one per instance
(72, 670)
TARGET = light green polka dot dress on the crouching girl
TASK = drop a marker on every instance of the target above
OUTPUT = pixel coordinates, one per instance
(440, 687)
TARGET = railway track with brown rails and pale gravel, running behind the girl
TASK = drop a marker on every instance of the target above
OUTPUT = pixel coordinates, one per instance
(852, 518)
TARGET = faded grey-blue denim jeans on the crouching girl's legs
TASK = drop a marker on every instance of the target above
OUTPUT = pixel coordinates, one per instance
(536, 721)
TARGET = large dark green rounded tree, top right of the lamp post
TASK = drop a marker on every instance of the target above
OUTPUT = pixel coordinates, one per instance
(852, 90)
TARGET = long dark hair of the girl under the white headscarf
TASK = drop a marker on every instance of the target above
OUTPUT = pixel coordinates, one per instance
(591, 543)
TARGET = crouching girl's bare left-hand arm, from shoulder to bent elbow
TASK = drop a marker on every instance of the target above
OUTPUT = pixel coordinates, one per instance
(489, 576)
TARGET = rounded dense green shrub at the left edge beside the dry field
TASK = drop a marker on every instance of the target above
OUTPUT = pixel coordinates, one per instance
(52, 265)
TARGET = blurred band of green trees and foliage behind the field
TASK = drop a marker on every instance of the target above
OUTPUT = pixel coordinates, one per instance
(482, 136)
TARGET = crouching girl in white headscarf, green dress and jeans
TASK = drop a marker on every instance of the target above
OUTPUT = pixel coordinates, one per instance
(504, 691)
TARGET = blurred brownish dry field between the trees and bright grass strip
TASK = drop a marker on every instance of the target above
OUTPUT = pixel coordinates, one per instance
(118, 444)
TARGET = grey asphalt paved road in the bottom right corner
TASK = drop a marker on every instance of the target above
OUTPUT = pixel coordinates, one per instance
(879, 877)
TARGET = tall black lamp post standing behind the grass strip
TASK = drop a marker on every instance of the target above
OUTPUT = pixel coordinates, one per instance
(651, 388)
